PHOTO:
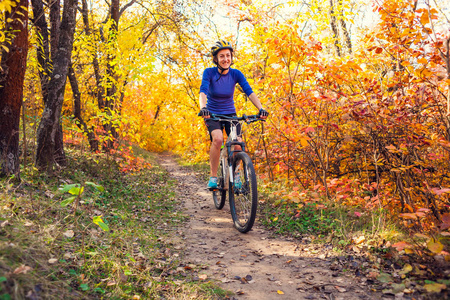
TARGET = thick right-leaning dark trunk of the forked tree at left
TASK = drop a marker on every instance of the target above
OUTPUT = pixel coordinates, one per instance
(50, 148)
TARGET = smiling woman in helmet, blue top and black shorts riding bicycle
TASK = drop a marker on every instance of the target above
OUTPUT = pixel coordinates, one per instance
(216, 96)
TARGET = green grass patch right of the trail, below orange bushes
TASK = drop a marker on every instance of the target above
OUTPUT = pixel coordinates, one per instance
(327, 222)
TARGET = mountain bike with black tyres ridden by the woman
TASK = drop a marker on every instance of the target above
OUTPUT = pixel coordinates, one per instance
(242, 186)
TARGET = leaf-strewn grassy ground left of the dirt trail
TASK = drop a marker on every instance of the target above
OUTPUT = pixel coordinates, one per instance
(54, 252)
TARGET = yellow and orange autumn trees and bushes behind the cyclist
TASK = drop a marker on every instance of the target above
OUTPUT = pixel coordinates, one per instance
(358, 94)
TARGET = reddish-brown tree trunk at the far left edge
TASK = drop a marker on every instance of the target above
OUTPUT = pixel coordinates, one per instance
(12, 74)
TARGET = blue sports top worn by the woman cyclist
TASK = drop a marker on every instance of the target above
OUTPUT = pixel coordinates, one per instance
(219, 90)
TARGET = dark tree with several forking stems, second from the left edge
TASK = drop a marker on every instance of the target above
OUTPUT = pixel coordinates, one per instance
(55, 66)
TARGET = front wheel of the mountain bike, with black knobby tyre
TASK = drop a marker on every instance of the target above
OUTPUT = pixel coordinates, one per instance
(243, 193)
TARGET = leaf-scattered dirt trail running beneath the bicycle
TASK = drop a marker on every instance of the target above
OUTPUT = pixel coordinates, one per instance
(269, 268)
